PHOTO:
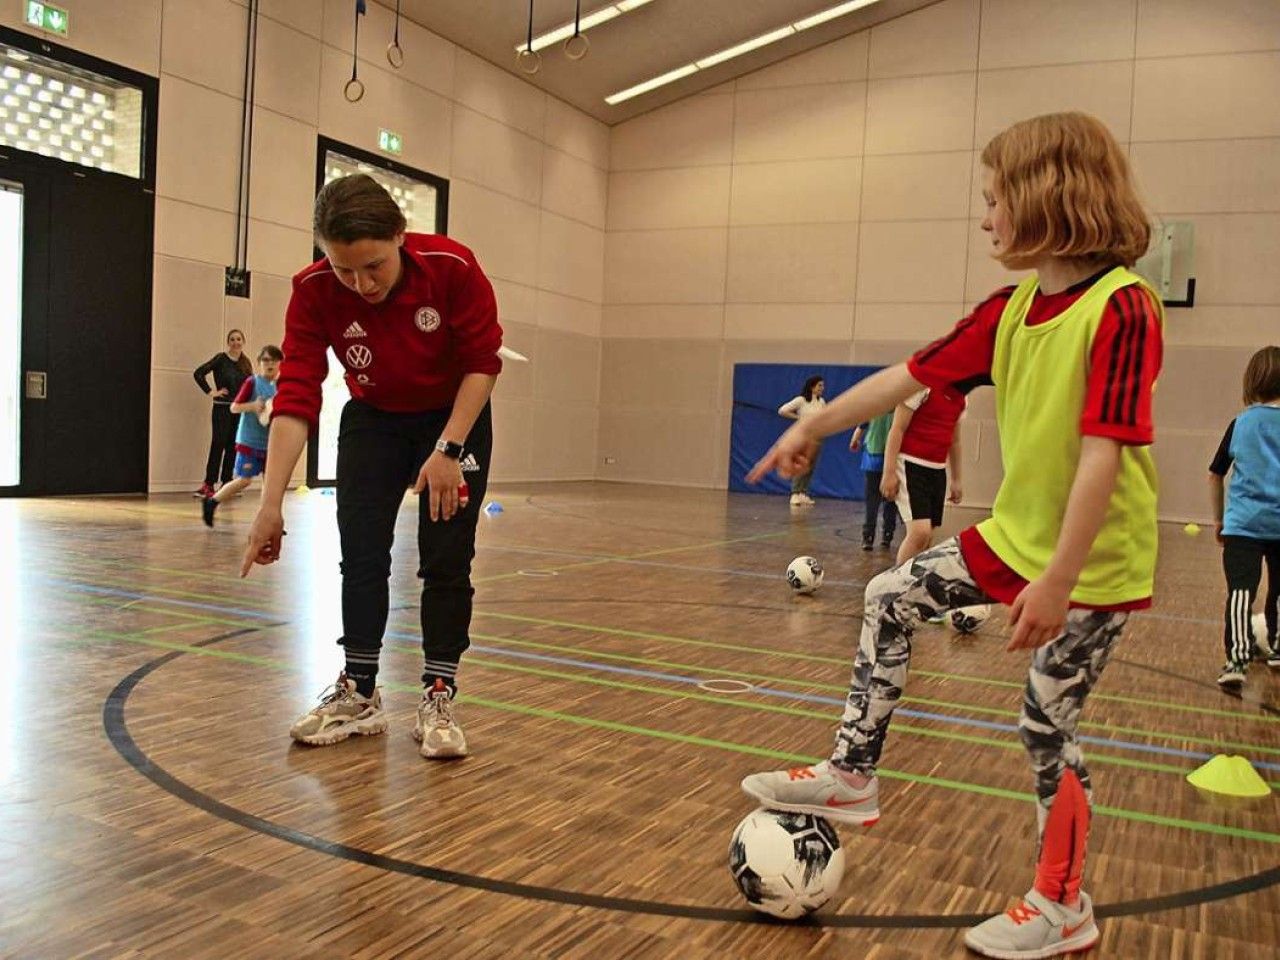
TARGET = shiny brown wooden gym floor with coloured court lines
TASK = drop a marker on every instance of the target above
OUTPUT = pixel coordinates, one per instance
(152, 804)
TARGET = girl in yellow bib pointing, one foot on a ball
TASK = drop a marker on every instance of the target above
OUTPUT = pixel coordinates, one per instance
(1073, 353)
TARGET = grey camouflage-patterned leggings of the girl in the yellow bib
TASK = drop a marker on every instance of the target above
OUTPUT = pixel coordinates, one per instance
(1062, 673)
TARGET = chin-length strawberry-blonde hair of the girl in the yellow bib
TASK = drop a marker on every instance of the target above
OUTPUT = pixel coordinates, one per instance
(1069, 193)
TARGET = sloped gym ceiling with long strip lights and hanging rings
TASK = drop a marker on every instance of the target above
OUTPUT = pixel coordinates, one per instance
(639, 45)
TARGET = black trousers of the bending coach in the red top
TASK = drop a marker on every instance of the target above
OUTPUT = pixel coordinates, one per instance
(380, 455)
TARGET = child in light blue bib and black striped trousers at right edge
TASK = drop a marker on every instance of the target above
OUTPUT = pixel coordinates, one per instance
(1250, 527)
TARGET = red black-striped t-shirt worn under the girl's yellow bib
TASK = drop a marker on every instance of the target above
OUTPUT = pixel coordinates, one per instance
(1124, 363)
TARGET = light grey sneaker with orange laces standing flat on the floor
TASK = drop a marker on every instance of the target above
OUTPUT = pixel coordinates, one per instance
(1036, 929)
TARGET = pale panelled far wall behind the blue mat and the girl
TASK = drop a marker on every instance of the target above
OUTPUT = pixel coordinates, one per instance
(826, 209)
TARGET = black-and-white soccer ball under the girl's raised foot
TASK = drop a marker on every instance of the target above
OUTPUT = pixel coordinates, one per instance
(787, 865)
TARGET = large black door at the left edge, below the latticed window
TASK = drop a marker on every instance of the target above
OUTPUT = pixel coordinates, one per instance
(86, 332)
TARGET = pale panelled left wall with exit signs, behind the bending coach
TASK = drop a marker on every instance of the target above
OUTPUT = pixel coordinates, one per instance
(528, 194)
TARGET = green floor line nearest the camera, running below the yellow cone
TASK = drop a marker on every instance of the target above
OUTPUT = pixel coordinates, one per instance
(746, 749)
